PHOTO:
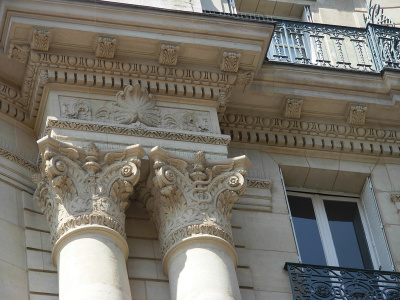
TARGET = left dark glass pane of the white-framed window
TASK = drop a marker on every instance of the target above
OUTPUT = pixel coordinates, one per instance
(306, 230)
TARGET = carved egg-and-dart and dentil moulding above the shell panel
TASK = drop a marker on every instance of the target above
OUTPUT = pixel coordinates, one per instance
(43, 68)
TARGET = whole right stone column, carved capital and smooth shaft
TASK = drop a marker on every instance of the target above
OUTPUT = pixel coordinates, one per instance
(192, 208)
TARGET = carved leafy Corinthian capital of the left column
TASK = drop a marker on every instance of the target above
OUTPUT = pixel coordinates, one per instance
(79, 187)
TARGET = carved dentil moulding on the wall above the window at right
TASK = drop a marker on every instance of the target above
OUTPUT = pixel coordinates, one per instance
(291, 133)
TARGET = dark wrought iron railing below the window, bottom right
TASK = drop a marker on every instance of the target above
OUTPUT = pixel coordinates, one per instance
(328, 283)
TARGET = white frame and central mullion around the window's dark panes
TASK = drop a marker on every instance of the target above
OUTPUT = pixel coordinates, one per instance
(323, 225)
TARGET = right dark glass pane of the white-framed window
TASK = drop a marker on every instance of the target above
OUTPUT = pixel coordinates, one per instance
(348, 234)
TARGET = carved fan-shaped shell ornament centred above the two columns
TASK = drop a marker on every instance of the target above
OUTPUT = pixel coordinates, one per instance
(133, 104)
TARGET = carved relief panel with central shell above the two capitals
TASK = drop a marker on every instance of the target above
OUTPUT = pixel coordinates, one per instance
(135, 105)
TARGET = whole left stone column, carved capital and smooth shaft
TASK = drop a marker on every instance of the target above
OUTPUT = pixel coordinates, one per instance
(83, 194)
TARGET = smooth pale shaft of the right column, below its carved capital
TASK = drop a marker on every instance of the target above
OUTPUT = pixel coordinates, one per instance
(202, 269)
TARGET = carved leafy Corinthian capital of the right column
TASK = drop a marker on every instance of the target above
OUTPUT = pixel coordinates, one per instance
(194, 197)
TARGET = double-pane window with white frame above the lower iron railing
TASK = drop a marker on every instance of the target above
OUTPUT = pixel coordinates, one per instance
(339, 231)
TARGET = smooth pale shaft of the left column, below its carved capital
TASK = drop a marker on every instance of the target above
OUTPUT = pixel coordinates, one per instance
(92, 265)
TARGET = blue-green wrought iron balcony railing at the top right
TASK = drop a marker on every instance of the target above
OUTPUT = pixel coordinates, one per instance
(368, 49)
